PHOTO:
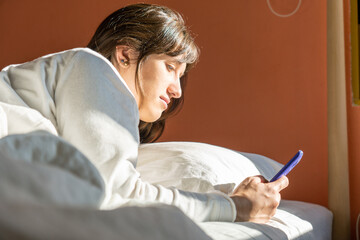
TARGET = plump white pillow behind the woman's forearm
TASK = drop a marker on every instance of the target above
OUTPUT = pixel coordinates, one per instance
(200, 167)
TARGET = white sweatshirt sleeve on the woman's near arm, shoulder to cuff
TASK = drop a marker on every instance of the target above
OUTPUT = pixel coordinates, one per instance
(97, 113)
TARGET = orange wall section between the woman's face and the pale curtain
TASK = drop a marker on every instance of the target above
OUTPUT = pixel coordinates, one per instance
(261, 87)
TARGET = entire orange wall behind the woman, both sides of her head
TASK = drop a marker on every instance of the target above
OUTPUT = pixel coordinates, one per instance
(260, 85)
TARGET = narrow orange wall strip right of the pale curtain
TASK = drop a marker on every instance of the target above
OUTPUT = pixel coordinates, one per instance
(353, 113)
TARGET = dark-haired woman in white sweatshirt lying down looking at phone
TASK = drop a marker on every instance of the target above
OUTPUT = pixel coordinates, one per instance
(109, 97)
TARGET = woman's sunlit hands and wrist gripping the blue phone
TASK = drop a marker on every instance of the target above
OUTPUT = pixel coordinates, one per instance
(256, 199)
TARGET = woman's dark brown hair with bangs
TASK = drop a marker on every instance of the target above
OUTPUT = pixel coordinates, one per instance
(148, 29)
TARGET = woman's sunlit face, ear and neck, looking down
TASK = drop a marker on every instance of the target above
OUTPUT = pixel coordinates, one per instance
(159, 82)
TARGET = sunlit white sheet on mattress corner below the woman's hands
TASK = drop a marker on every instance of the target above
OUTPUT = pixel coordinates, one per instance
(293, 220)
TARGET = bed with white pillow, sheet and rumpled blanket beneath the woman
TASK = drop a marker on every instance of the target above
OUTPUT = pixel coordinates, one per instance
(49, 190)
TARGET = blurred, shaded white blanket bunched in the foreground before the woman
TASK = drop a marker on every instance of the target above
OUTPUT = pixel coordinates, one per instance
(49, 190)
